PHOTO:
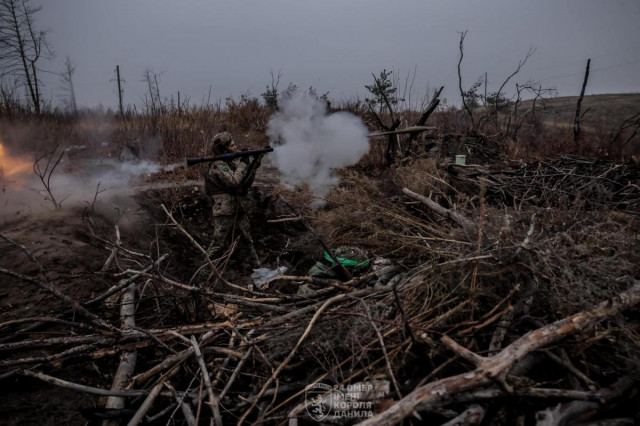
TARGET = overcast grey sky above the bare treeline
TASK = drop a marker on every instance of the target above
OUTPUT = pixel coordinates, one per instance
(335, 45)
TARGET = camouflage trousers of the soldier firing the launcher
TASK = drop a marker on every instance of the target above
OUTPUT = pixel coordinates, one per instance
(225, 230)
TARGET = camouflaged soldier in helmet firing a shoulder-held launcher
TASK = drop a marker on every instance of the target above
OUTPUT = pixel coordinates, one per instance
(227, 182)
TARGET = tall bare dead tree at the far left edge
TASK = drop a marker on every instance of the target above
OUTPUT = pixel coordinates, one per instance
(22, 46)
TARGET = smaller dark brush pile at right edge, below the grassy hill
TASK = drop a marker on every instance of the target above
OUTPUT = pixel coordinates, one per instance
(565, 182)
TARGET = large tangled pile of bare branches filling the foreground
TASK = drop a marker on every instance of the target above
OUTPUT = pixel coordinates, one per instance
(456, 338)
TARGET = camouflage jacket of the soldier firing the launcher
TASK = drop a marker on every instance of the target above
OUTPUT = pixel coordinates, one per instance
(226, 182)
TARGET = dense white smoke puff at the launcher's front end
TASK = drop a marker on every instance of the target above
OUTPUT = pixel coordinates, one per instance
(314, 142)
